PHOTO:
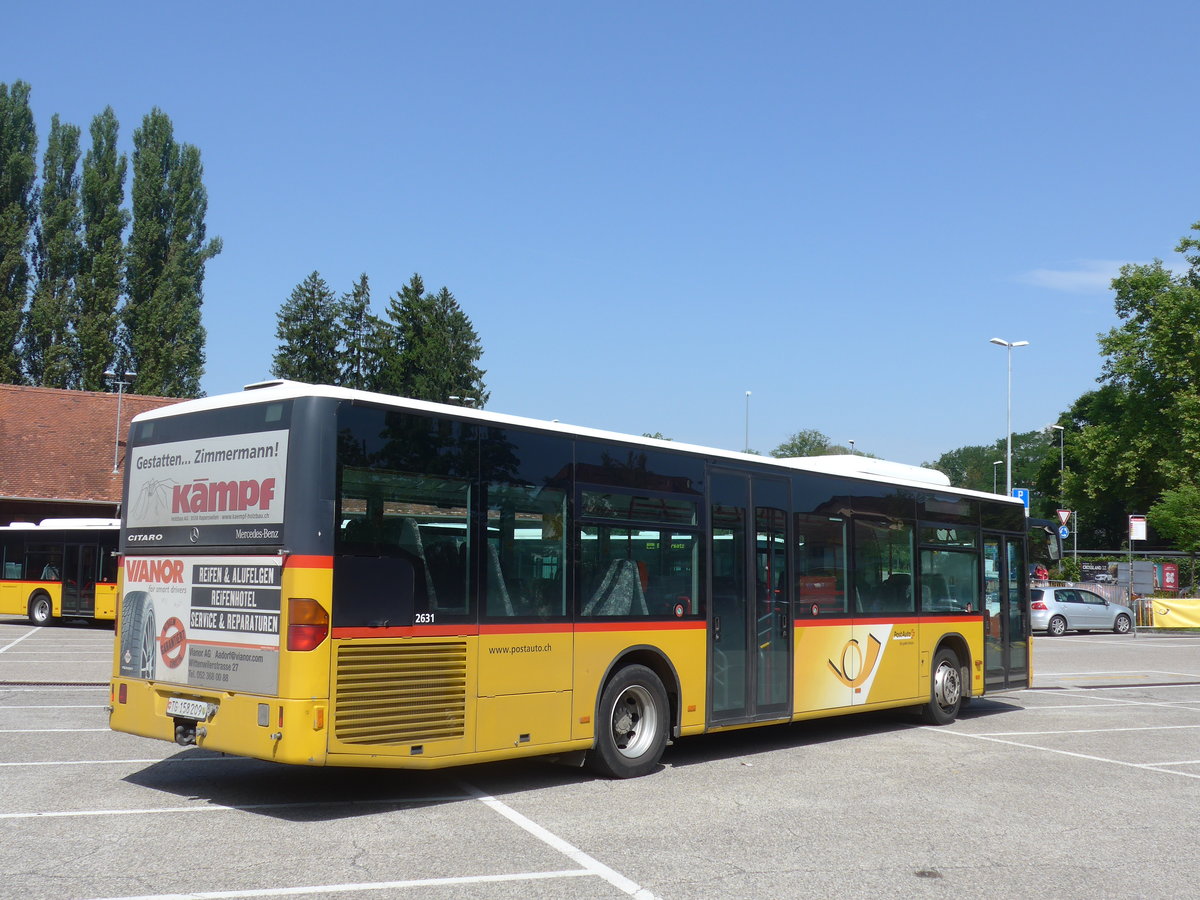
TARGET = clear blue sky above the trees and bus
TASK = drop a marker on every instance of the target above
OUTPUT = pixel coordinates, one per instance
(649, 209)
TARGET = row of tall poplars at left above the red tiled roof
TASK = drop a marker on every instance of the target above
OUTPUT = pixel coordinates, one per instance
(89, 285)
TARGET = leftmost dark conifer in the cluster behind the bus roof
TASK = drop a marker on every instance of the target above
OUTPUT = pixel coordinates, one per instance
(309, 332)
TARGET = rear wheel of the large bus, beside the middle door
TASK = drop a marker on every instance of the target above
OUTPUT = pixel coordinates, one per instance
(632, 725)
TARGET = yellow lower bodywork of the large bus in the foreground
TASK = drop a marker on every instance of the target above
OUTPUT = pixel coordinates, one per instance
(431, 703)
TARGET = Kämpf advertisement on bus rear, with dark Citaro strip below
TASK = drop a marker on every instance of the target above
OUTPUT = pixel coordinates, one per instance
(220, 491)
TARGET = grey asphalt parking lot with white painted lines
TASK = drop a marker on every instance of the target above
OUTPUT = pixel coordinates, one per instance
(1084, 787)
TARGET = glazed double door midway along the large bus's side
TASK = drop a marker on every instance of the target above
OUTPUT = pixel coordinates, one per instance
(751, 653)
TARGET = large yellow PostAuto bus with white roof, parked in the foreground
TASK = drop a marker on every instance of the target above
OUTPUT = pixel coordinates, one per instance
(332, 578)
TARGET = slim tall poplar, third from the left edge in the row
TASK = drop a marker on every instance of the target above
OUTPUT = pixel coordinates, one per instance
(103, 259)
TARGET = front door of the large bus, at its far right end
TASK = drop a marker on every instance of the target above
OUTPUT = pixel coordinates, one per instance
(1005, 620)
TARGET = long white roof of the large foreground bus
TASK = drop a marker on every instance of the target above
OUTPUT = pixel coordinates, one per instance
(861, 467)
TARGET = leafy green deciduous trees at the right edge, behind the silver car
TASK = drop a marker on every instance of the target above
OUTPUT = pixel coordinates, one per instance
(1131, 447)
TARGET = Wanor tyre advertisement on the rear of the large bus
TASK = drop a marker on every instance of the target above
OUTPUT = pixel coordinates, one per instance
(206, 622)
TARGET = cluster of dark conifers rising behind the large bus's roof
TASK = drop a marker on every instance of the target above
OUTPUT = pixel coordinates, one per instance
(425, 346)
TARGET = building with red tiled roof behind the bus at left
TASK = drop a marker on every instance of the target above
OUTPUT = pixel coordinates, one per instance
(57, 452)
